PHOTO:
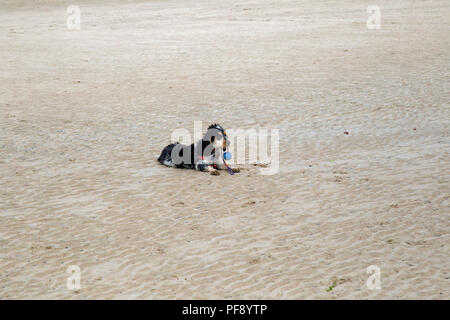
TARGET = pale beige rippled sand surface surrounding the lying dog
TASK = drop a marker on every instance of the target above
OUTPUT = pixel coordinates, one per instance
(84, 114)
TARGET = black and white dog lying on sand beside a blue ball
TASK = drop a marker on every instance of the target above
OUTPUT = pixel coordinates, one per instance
(203, 155)
